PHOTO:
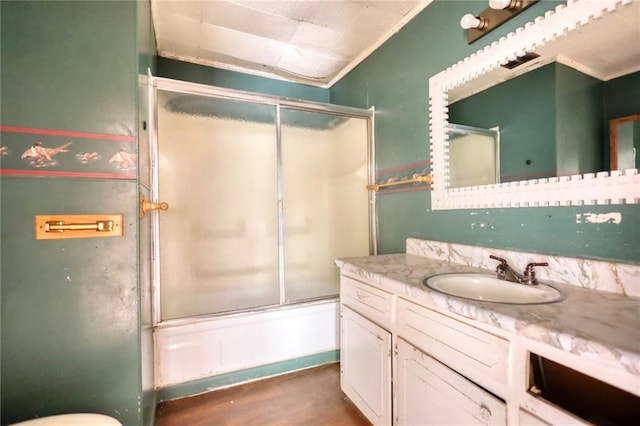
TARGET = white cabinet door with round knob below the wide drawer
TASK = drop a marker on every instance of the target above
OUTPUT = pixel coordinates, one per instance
(429, 393)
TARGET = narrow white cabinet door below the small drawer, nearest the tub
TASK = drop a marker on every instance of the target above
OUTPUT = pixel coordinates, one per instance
(365, 357)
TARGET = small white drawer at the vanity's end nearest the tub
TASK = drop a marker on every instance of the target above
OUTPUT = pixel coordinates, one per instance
(370, 301)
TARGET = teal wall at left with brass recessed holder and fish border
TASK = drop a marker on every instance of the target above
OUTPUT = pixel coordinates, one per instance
(71, 309)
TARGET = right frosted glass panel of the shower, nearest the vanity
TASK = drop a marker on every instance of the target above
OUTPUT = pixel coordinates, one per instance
(325, 213)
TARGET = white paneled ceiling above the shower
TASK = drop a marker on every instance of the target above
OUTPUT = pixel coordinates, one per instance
(304, 41)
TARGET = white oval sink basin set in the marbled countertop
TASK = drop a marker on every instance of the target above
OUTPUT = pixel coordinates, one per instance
(487, 288)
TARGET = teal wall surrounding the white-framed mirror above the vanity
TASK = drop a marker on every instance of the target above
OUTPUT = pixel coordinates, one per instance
(395, 80)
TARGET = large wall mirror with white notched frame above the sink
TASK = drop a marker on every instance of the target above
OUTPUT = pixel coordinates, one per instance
(559, 45)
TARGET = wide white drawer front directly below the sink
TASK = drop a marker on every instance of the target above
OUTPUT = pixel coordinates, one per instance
(476, 354)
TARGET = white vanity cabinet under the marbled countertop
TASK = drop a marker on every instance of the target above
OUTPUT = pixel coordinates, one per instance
(451, 370)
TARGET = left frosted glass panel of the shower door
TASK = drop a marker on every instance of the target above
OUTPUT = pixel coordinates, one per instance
(218, 172)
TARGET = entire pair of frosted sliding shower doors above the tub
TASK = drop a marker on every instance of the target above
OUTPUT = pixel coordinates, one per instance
(263, 198)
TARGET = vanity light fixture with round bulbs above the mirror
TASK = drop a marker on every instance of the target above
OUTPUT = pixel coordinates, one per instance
(498, 12)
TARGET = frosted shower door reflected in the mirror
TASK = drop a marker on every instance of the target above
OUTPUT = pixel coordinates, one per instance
(473, 156)
